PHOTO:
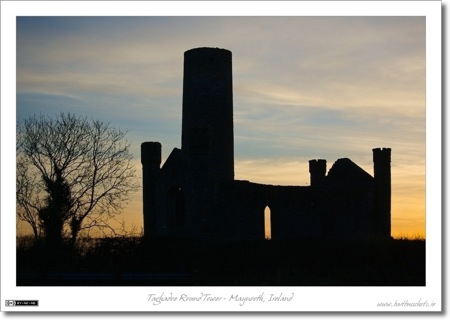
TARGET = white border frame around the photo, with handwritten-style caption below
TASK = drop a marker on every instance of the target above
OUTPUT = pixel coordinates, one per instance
(132, 299)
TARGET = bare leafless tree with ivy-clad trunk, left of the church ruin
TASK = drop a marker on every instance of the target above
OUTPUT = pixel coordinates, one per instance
(72, 174)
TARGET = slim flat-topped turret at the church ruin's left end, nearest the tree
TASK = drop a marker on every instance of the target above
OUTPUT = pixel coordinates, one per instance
(151, 162)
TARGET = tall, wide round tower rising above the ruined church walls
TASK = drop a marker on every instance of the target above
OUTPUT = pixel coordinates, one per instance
(207, 128)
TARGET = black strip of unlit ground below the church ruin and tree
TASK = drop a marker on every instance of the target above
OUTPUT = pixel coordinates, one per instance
(182, 262)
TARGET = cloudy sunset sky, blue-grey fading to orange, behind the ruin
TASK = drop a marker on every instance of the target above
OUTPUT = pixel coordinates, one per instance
(304, 88)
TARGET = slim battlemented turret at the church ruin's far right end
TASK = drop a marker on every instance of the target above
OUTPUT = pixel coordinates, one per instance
(382, 192)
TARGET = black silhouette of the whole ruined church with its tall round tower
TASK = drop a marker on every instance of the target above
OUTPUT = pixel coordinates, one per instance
(194, 194)
